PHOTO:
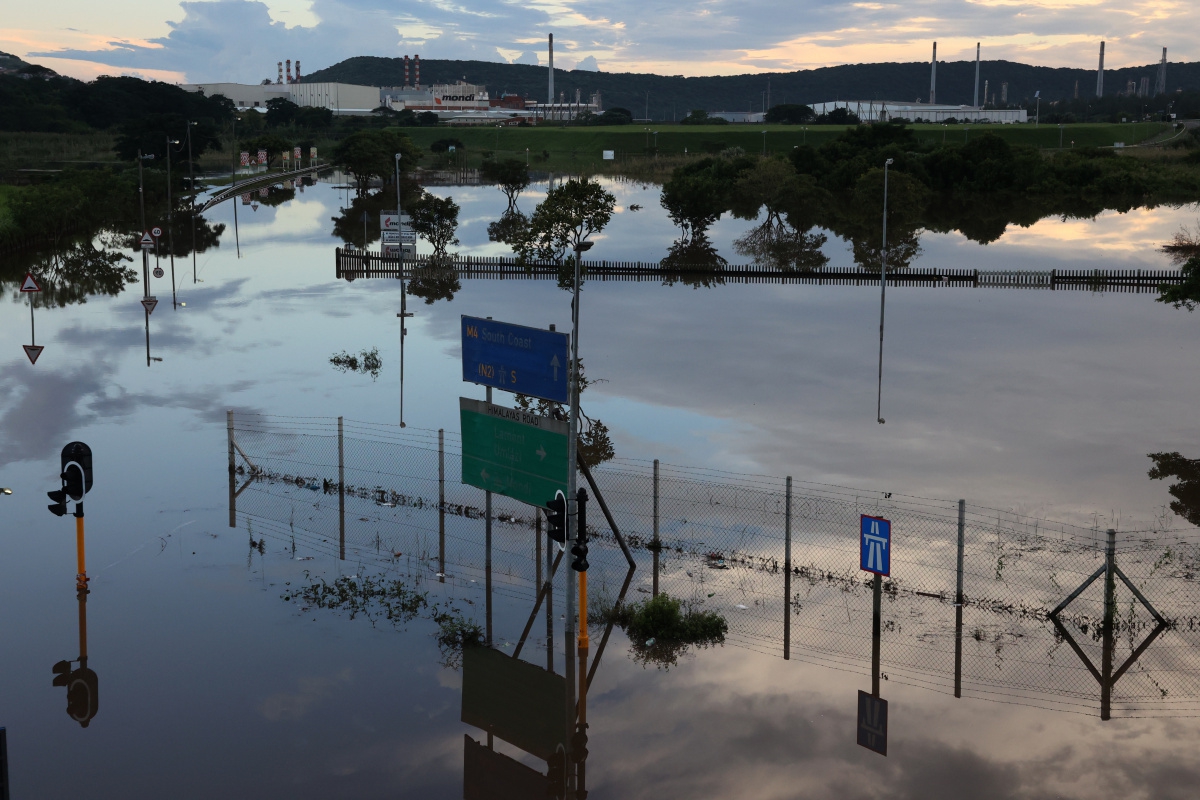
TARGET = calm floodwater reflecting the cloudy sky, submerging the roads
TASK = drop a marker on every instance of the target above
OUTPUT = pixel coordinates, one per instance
(1036, 405)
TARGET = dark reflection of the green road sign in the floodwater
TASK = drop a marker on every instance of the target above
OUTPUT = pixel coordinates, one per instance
(515, 701)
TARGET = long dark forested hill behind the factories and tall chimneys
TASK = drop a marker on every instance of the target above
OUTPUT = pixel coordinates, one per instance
(673, 97)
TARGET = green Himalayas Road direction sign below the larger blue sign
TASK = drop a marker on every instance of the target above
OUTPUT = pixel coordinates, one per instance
(513, 453)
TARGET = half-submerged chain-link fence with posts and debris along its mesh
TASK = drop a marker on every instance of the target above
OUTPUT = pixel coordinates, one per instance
(721, 542)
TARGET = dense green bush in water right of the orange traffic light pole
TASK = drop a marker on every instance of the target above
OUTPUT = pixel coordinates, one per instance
(663, 629)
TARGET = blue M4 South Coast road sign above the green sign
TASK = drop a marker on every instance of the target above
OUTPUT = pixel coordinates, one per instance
(515, 358)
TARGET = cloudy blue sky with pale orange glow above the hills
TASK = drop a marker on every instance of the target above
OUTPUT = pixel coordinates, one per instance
(242, 40)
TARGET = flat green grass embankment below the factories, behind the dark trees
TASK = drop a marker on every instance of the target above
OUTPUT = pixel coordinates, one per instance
(581, 148)
